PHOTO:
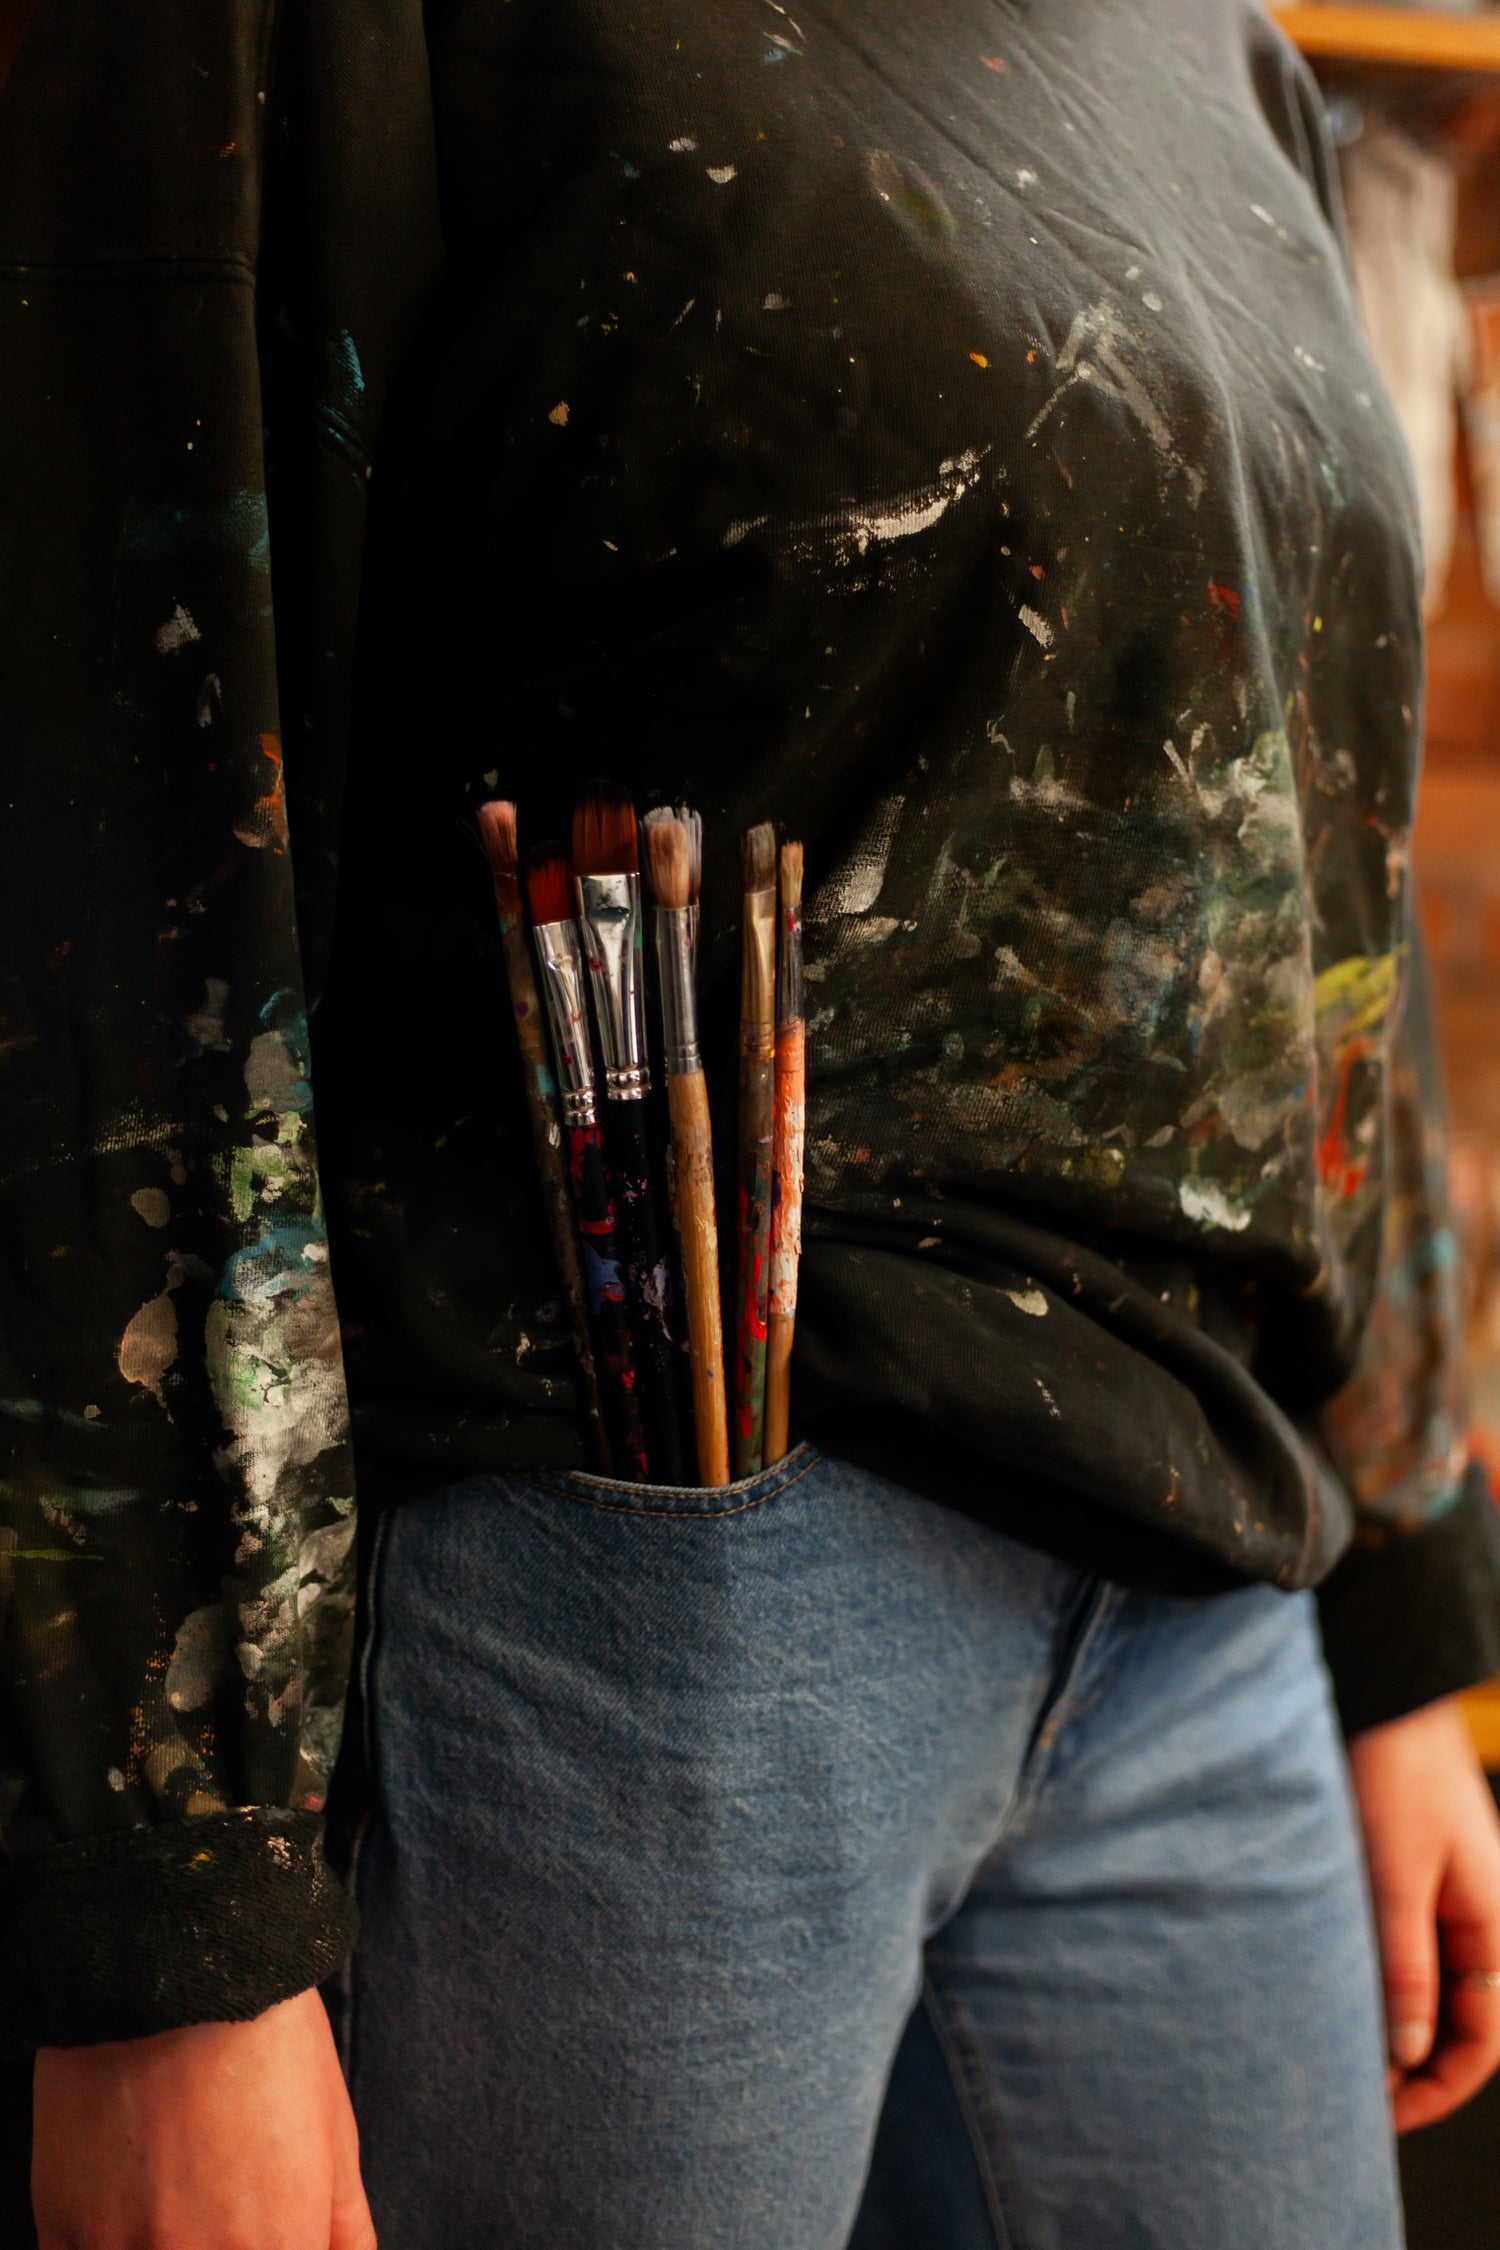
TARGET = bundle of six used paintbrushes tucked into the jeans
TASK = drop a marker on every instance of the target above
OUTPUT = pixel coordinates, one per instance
(602, 1196)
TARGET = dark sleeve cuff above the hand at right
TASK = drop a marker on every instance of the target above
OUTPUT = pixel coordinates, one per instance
(1418, 1614)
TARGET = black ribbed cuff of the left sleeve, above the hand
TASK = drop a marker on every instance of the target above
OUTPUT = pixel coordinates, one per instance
(150, 1929)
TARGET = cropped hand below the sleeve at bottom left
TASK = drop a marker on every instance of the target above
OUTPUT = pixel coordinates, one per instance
(222, 2136)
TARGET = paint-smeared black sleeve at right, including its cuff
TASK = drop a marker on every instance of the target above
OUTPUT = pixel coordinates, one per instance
(1413, 1610)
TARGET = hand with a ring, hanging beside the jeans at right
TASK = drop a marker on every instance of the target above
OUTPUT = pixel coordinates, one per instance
(1434, 1848)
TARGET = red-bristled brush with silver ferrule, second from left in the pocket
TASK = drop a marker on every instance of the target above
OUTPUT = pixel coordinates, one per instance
(550, 892)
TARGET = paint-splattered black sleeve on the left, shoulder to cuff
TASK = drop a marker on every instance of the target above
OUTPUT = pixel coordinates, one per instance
(177, 1502)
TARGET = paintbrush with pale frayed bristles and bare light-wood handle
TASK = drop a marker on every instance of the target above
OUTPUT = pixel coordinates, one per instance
(669, 849)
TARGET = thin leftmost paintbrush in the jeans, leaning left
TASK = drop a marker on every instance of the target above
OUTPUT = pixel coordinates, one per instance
(498, 838)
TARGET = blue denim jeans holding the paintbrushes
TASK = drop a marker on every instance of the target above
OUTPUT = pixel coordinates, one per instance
(808, 1866)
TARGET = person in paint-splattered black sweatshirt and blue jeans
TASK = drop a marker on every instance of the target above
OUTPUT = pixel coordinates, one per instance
(948, 435)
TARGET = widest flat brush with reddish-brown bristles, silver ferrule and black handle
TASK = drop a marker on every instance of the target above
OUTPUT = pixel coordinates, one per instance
(608, 881)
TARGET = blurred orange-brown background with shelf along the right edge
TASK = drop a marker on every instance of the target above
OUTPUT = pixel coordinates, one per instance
(1416, 109)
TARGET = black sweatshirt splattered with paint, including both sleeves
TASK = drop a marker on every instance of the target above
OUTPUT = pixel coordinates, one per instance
(943, 431)
